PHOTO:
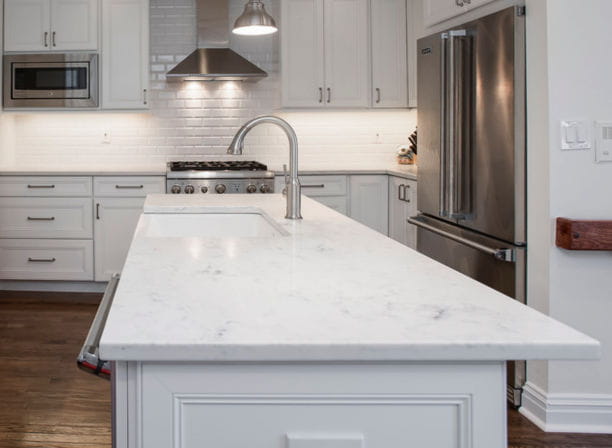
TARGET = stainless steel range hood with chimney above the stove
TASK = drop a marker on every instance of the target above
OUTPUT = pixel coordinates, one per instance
(213, 60)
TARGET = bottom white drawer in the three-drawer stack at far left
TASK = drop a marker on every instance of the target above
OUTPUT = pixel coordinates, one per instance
(46, 259)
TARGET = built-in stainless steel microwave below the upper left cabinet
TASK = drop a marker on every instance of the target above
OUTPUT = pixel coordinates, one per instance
(67, 80)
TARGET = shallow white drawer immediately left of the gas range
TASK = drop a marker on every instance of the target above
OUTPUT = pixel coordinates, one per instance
(129, 186)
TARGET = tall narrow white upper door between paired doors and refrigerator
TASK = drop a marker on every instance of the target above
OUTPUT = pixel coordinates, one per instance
(389, 65)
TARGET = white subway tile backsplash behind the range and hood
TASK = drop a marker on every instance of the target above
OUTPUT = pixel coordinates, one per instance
(197, 120)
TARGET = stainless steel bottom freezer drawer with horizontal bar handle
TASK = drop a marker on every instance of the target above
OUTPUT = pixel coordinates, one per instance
(490, 261)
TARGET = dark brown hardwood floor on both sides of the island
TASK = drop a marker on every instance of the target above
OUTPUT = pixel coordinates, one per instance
(45, 401)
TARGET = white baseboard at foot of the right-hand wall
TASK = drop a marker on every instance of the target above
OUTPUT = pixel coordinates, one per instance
(580, 413)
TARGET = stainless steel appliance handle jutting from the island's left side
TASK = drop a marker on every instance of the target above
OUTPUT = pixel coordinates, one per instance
(89, 356)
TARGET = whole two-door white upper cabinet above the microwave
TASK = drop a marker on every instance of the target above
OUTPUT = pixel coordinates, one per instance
(50, 25)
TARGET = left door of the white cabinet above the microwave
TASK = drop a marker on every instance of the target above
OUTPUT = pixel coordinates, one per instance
(27, 25)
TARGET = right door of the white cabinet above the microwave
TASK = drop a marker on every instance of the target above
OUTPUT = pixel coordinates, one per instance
(74, 24)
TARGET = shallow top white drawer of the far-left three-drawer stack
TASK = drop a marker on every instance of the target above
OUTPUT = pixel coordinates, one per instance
(45, 186)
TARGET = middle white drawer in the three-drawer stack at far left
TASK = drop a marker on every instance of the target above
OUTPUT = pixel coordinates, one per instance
(69, 218)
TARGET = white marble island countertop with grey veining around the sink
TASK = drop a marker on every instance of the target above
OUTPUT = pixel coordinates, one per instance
(332, 290)
